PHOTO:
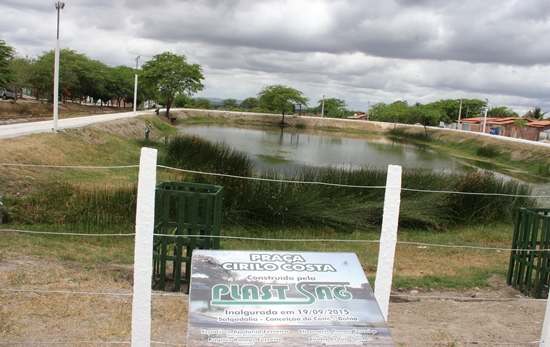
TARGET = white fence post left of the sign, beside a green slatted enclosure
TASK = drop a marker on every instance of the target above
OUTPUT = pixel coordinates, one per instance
(143, 253)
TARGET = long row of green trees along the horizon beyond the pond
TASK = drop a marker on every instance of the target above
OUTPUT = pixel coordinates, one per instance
(82, 78)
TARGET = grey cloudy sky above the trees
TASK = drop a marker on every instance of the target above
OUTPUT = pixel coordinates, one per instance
(361, 51)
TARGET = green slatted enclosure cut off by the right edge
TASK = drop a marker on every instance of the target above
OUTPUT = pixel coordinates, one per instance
(530, 259)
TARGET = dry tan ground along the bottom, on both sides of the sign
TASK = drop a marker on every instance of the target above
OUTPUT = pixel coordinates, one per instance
(45, 300)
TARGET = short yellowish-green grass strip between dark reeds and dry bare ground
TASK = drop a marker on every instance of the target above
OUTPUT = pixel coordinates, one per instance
(416, 265)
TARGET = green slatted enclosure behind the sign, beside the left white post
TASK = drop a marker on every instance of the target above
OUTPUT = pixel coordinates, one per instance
(187, 216)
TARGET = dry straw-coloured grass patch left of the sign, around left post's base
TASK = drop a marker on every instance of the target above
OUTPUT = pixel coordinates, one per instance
(45, 300)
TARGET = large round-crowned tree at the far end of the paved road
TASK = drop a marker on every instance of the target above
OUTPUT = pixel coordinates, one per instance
(170, 74)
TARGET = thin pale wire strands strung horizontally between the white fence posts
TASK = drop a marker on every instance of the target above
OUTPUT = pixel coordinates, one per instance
(156, 294)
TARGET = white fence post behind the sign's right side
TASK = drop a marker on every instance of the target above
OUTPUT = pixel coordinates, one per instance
(388, 239)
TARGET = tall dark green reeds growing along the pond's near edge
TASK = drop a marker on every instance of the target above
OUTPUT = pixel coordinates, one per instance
(344, 199)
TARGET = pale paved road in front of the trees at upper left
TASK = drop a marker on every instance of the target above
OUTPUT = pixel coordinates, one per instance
(22, 129)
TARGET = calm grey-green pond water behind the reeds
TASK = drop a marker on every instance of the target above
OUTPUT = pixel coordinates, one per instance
(290, 149)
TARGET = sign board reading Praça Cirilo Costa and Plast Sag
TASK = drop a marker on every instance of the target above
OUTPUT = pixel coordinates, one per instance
(260, 298)
